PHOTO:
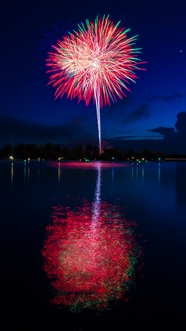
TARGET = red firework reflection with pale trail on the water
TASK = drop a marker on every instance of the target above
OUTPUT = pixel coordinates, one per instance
(90, 254)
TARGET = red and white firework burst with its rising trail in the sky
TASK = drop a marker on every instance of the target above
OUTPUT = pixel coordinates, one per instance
(97, 62)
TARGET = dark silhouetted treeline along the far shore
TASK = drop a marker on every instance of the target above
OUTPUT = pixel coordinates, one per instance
(49, 151)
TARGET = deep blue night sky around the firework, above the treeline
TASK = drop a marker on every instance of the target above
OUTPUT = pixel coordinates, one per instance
(153, 115)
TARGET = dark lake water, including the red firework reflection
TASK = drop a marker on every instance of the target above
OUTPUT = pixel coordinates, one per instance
(93, 246)
